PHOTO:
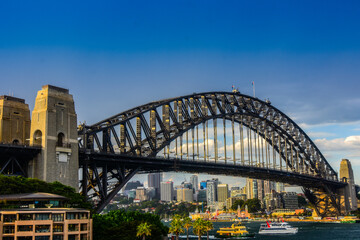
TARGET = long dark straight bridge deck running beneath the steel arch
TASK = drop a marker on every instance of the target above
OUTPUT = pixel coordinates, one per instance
(156, 164)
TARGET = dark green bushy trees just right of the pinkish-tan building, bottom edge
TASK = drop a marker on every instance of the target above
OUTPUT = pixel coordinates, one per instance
(123, 225)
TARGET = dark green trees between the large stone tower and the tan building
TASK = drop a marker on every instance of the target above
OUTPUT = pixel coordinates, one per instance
(15, 185)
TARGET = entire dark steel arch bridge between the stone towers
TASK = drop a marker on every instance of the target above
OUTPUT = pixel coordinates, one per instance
(173, 135)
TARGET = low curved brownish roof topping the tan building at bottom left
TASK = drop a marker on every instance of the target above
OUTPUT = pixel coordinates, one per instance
(31, 196)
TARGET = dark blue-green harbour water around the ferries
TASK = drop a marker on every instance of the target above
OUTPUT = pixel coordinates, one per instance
(307, 231)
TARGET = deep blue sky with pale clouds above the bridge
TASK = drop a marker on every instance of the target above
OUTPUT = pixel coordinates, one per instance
(113, 55)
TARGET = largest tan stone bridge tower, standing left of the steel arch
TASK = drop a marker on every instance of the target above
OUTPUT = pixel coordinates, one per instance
(54, 128)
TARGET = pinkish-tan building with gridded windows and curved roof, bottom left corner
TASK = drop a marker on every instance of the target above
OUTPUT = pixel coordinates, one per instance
(42, 217)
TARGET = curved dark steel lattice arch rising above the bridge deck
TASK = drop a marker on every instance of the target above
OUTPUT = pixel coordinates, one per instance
(252, 112)
